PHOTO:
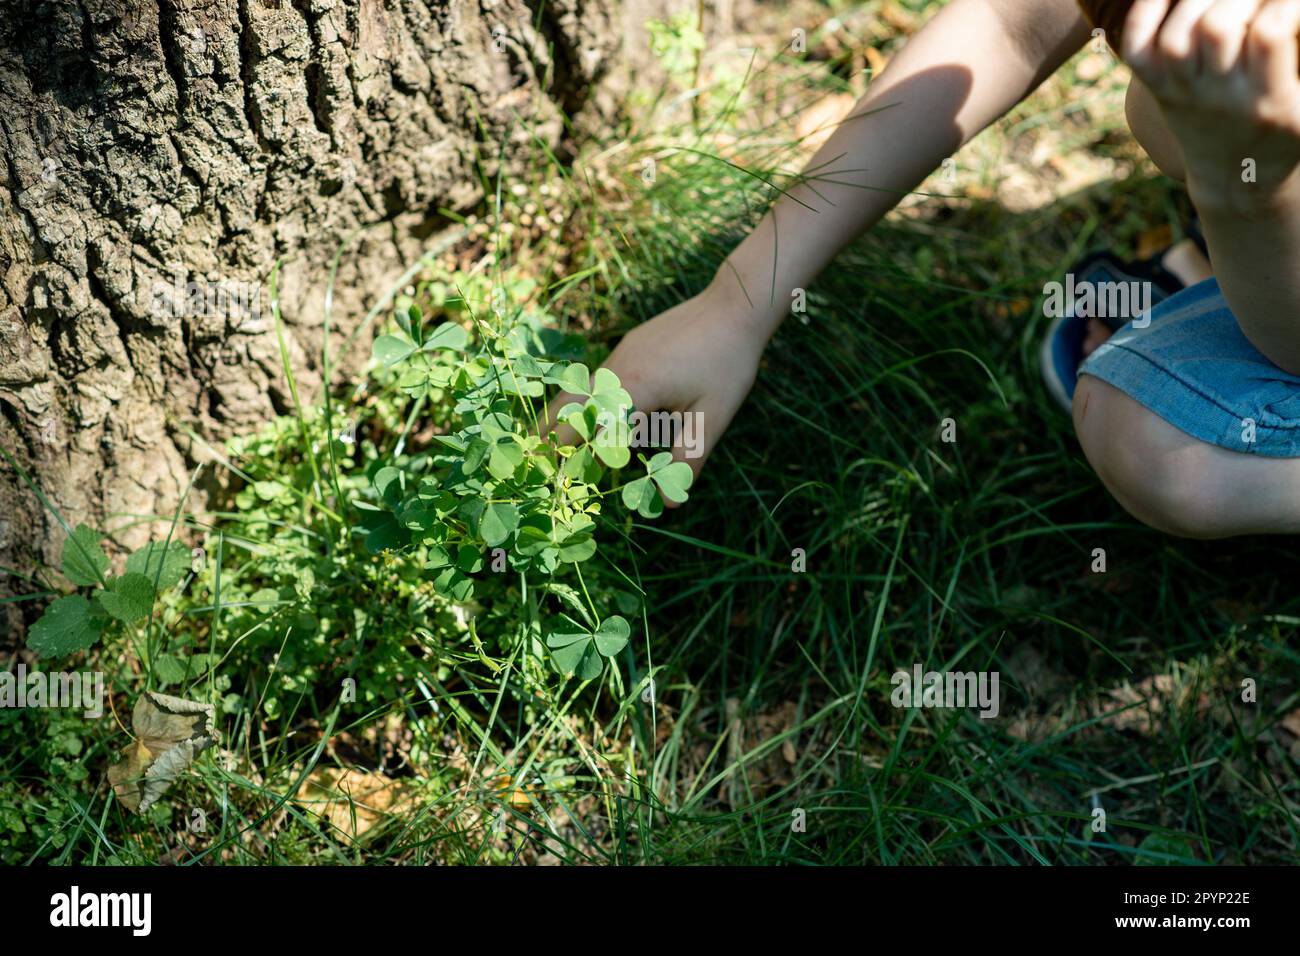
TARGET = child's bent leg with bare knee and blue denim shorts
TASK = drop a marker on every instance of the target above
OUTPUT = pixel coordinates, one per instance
(1189, 426)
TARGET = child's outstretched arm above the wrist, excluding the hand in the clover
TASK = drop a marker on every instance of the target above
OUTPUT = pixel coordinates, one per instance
(967, 68)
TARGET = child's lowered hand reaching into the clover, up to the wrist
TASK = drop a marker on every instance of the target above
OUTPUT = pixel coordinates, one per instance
(699, 358)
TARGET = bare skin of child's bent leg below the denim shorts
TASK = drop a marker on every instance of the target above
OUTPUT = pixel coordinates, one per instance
(1176, 483)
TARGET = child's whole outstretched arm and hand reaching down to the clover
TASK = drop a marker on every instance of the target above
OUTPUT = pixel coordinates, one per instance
(968, 67)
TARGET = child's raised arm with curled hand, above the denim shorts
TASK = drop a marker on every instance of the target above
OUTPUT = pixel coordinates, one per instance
(1228, 80)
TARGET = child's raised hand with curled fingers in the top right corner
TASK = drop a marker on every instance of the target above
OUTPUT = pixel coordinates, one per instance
(1227, 75)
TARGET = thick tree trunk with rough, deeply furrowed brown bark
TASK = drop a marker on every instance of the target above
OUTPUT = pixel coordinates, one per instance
(171, 145)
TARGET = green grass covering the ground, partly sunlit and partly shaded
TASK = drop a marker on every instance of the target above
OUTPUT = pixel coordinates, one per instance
(1121, 691)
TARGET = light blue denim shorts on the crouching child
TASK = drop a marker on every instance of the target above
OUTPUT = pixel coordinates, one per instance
(1193, 367)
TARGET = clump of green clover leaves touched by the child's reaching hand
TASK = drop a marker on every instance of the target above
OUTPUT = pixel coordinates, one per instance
(491, 483)
